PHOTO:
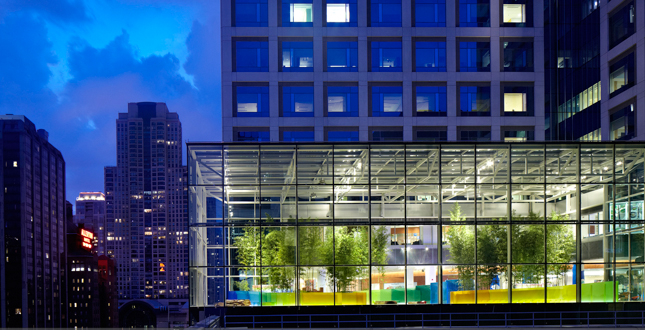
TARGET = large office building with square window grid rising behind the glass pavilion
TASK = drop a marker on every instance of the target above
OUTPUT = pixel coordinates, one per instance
(431, 70)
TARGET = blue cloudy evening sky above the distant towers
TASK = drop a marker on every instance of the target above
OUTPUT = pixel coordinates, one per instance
(71, 65)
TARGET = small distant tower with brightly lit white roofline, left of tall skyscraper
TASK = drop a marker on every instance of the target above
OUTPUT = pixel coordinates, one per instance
(90, 211)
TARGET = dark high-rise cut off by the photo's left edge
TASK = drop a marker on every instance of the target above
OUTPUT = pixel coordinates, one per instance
(32, 230)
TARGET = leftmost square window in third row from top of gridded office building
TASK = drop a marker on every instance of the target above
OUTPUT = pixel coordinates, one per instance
(251, 101)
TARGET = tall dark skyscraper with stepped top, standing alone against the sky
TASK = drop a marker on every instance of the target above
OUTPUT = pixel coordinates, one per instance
(146, 208)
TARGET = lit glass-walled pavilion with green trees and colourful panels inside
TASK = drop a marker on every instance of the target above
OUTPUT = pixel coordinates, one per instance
(378, 223)
